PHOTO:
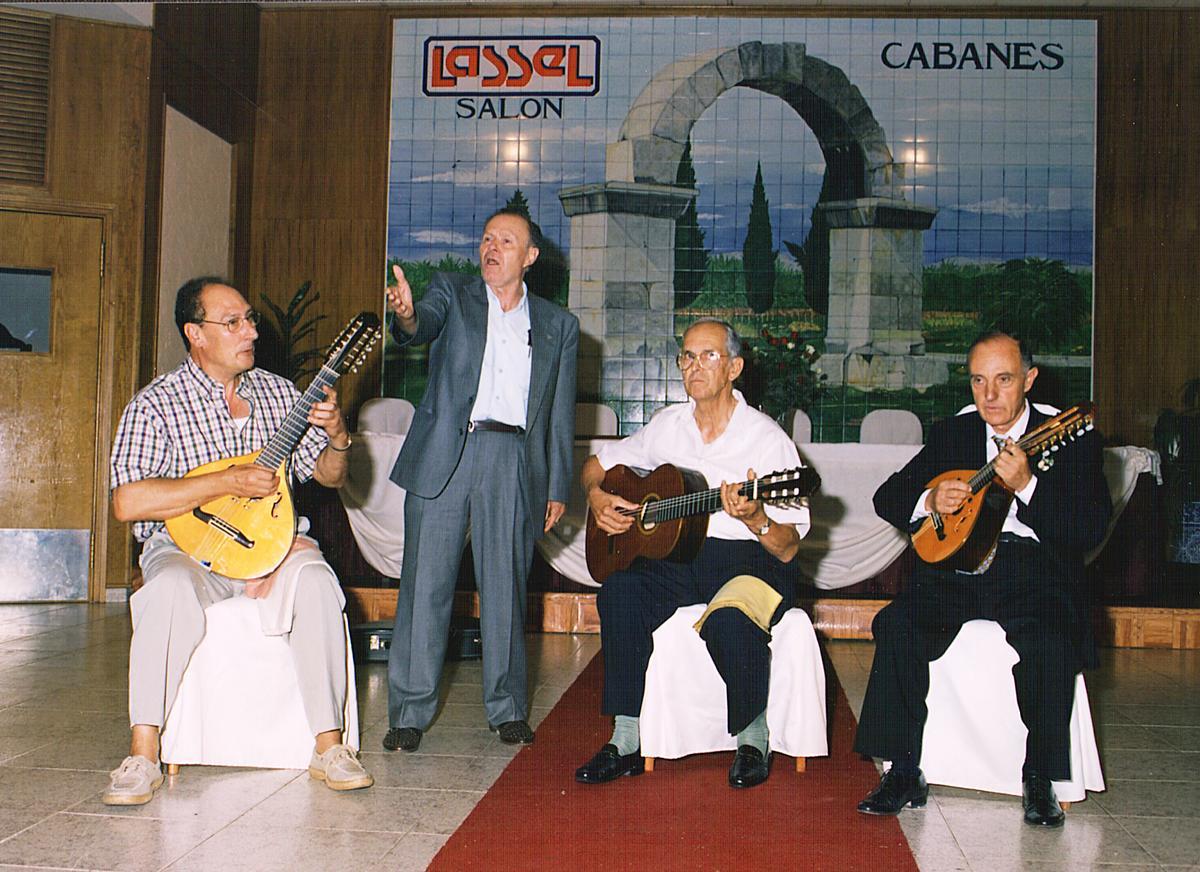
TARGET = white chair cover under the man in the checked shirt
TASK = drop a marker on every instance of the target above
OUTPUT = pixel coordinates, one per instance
(239, 703)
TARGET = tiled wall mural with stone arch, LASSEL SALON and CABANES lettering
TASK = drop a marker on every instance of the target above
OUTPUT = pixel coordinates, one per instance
(860, 197)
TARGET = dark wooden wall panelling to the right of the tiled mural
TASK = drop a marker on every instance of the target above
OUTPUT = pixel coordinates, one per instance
(1148, 252)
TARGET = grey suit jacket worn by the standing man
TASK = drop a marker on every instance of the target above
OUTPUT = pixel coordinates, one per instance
(453, 316)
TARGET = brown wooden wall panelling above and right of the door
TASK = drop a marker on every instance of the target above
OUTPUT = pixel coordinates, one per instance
(97, 166)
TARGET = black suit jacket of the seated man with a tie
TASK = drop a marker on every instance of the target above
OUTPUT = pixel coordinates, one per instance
(1071, 507)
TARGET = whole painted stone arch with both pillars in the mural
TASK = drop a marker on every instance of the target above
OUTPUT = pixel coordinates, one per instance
(868, 252)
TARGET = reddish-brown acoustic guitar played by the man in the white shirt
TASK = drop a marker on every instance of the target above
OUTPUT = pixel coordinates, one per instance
(671, 520)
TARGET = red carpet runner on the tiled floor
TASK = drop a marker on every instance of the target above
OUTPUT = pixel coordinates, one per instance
(683, 816)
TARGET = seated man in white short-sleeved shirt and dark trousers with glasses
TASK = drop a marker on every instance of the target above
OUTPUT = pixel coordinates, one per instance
(747, 551)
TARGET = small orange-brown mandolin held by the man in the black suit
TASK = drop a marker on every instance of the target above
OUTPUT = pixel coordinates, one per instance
(967, 540)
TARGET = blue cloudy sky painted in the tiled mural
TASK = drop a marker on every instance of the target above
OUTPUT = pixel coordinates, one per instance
(1007, 157)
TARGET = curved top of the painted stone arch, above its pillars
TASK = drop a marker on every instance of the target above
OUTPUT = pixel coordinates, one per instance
(657, 129)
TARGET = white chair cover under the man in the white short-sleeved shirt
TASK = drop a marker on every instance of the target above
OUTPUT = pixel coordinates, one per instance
(685, 711)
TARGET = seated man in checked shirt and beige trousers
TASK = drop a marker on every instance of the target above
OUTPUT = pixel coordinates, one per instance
(212, 407)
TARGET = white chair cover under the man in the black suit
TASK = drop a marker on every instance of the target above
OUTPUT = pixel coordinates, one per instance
(975, 737)
